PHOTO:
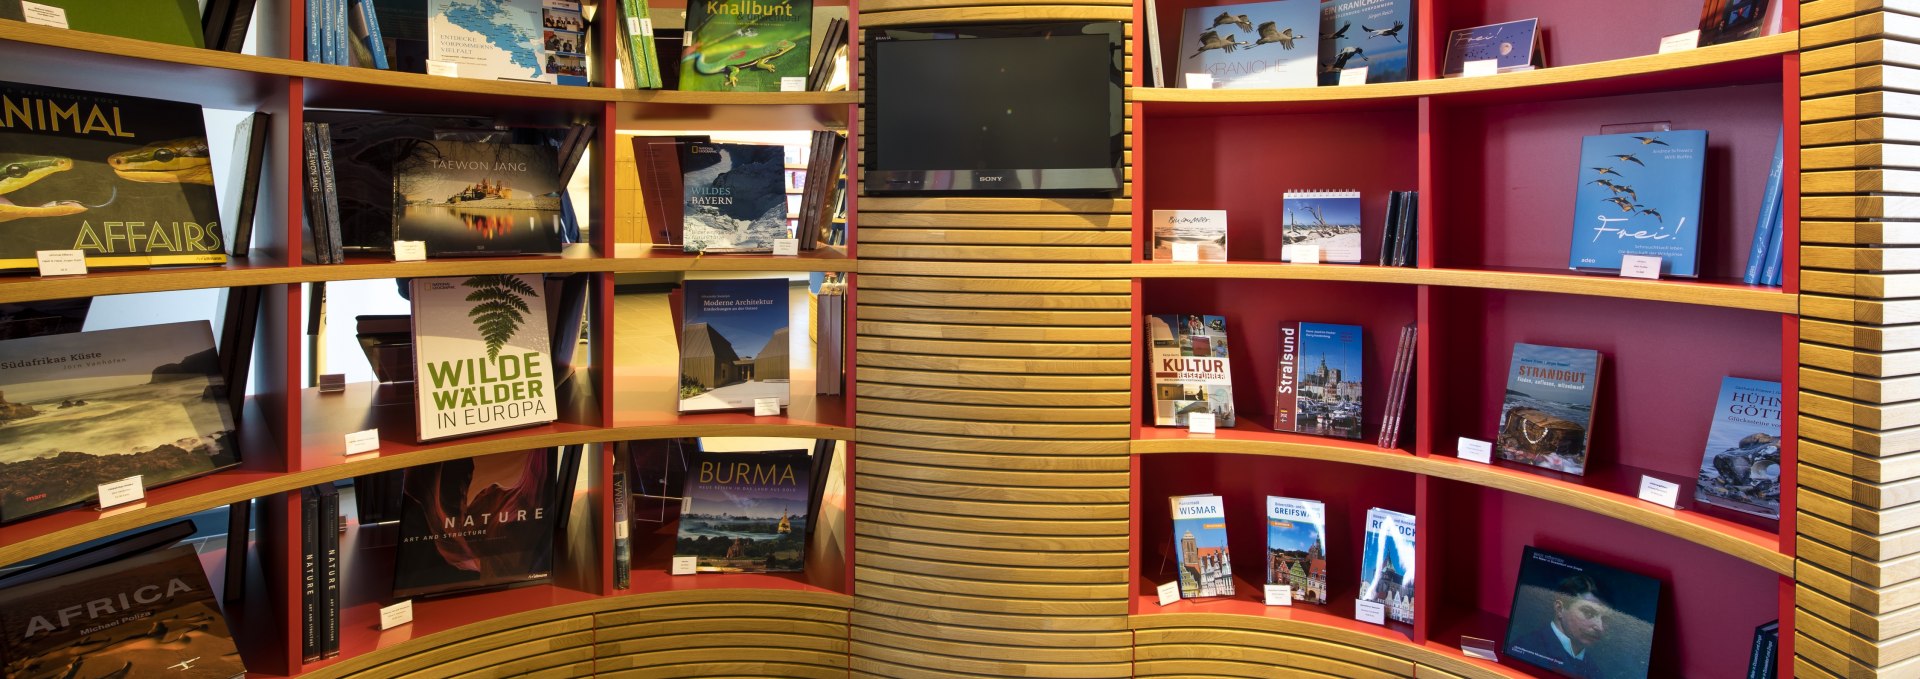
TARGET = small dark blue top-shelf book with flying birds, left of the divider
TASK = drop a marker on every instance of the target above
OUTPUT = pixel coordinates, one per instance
(1376, 35)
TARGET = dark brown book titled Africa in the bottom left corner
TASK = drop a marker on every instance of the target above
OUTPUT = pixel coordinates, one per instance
(145, 617)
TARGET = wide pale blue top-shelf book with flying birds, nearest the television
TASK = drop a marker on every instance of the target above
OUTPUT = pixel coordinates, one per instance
(1257, 45)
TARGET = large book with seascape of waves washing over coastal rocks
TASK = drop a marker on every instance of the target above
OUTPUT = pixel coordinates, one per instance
(95, 408)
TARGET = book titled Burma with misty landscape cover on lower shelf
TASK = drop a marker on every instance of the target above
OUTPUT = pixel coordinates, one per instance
(746, 513)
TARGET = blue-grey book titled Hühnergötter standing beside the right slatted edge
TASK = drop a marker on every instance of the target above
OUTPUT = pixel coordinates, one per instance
(1742, 463)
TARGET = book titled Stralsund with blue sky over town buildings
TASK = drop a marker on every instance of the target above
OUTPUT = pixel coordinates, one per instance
(1320, 381)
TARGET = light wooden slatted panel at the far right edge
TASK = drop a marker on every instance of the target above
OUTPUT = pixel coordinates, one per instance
(1858, 596)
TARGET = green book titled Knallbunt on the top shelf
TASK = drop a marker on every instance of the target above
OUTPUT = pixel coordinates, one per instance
(746, 45)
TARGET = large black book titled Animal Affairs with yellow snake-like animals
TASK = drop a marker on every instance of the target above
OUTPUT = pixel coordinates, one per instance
(126, 181)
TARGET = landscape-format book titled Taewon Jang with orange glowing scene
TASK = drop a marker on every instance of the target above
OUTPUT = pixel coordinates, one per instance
(468, 199)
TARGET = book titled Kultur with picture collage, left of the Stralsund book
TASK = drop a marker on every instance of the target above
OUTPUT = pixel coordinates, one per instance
(1191, 369)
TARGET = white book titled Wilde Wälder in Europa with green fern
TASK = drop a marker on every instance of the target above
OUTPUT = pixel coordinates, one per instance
(481, 354)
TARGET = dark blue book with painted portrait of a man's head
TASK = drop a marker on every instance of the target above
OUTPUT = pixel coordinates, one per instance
(1579, 619)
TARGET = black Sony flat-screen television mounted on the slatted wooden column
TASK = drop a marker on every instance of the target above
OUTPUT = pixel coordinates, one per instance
(1009, 108)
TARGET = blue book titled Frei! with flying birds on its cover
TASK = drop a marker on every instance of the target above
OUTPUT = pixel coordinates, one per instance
(1639, 197)
